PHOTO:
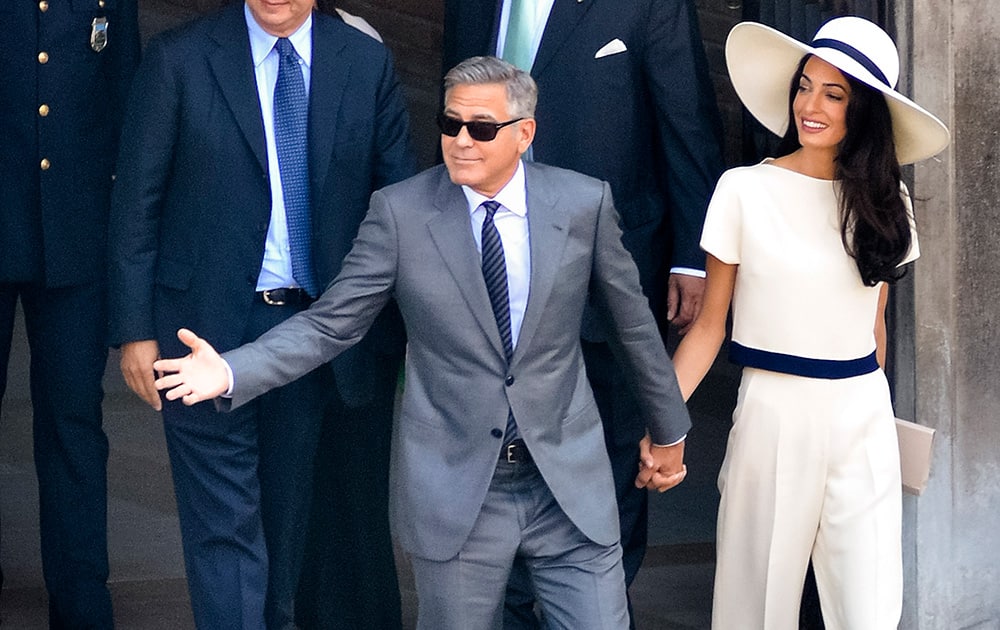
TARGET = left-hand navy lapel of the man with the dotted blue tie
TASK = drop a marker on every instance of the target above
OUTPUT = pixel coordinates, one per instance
(232, 66)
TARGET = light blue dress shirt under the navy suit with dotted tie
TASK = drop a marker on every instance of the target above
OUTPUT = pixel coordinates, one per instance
(276, 271)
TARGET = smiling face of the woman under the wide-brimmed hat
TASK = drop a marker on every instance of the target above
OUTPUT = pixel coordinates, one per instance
(820, 106)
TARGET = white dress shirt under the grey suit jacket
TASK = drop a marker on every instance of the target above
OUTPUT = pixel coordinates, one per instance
(511, 220)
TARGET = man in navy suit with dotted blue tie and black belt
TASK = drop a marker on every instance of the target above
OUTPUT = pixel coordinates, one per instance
(255, 137)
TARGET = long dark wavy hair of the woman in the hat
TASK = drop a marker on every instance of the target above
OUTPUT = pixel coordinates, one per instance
(874, 222)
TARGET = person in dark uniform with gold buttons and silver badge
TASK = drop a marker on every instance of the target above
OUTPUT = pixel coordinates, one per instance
(67, 69)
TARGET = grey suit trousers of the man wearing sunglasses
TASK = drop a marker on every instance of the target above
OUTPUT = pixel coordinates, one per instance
(579, 583)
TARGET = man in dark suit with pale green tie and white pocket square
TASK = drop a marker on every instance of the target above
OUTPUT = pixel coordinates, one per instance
(624, 96)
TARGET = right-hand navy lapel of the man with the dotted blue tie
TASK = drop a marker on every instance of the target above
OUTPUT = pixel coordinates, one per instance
(328, 83)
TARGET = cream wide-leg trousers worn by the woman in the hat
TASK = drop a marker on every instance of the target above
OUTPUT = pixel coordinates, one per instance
(811, 469)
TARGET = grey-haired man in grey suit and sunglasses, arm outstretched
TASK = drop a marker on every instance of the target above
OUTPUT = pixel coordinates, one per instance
(499, 451)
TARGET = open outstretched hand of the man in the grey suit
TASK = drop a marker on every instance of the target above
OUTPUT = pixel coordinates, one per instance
(201, 375)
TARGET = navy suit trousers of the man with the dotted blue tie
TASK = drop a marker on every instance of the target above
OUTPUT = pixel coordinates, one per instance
(243, 482)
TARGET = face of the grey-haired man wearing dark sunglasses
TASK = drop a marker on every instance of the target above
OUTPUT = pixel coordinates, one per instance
(484, 166)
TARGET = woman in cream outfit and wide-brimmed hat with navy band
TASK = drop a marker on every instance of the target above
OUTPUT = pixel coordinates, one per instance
(803, 246)
